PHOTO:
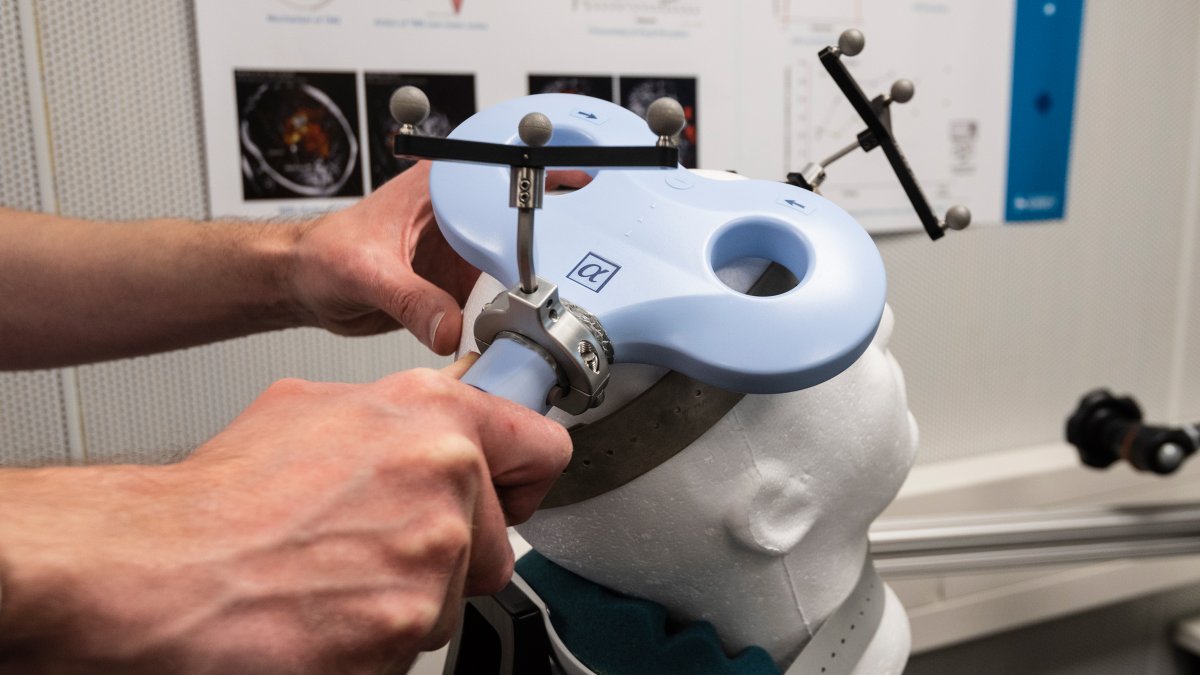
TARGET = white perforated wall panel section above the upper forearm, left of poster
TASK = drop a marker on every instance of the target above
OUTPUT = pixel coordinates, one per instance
(121, 85)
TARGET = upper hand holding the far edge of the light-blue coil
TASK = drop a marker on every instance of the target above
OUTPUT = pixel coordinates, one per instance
(383, 265)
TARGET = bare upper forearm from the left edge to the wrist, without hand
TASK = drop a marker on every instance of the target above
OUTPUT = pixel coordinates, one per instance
(75, 291)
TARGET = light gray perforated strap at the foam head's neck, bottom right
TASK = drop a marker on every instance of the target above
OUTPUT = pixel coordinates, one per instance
(838, 646)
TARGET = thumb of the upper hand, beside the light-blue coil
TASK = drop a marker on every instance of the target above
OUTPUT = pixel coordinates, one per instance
(429, 313)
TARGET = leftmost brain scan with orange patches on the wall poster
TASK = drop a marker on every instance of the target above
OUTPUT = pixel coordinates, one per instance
(299, 135)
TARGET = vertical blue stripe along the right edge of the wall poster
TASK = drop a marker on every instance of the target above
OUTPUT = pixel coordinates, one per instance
(1046, 58)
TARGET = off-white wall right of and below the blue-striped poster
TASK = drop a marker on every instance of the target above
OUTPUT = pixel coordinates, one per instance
(1001, 331)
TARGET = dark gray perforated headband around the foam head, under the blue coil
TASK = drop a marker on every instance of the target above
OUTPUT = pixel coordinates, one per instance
(652, 428)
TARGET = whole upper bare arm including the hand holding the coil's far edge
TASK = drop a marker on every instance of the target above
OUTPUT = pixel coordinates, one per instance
(75, 291)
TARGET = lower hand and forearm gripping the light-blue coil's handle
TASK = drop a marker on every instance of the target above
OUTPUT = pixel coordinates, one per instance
(329, 529)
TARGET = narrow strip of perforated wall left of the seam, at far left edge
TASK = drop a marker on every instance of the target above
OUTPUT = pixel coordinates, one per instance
(32, 422)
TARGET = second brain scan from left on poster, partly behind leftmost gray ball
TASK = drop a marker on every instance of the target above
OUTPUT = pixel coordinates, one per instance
(452, 101)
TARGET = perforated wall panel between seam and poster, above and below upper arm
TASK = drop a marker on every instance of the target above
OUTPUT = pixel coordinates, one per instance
(135, 65)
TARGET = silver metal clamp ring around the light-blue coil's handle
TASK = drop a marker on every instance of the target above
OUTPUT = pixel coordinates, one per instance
(574, 339)
